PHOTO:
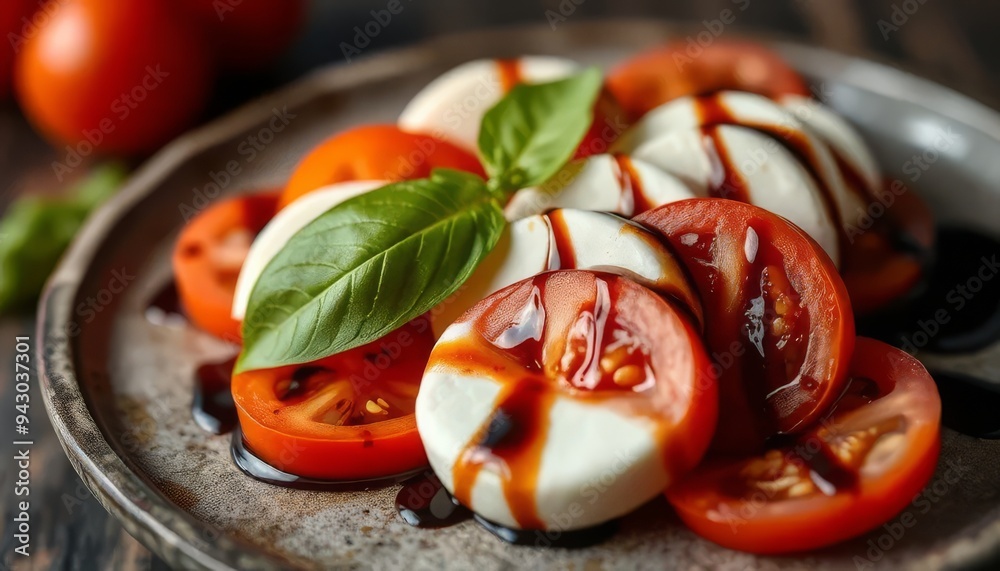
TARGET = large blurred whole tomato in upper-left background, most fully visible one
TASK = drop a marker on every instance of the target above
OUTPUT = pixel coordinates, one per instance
(136, 72)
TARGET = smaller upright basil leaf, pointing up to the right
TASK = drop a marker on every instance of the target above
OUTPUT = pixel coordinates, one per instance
(533, 131)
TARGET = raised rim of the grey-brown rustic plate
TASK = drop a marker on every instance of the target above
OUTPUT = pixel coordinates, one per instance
(171, 532)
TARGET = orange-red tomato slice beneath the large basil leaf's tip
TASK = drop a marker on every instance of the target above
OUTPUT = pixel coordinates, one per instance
(346, 417)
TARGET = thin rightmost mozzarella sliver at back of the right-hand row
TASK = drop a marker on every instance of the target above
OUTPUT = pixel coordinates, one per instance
(843, 139)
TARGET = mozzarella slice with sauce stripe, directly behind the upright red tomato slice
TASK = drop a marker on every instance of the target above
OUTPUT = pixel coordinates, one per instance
(773, 177)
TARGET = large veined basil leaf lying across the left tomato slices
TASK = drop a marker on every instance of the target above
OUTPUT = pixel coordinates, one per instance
(367, 266)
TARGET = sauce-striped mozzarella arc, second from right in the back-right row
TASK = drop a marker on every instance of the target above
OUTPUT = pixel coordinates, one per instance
(757, 112)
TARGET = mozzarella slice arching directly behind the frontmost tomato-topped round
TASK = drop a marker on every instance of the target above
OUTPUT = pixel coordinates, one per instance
(570, 239)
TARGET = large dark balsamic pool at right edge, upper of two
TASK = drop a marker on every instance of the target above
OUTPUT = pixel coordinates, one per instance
(958, 307)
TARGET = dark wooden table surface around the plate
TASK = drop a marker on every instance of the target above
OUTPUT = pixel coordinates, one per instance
(953, 42)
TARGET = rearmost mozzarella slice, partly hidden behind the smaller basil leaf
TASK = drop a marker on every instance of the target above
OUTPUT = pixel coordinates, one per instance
(452, 106)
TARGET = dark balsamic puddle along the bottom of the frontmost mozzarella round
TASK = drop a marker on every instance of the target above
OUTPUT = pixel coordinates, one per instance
(423, 502)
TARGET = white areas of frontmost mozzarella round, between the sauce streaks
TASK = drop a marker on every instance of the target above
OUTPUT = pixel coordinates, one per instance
(600, 460)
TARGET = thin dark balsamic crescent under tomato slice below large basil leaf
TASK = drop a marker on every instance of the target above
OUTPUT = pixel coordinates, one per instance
(253, 466)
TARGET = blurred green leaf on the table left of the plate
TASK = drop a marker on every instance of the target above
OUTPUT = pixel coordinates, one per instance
(35, 231)
